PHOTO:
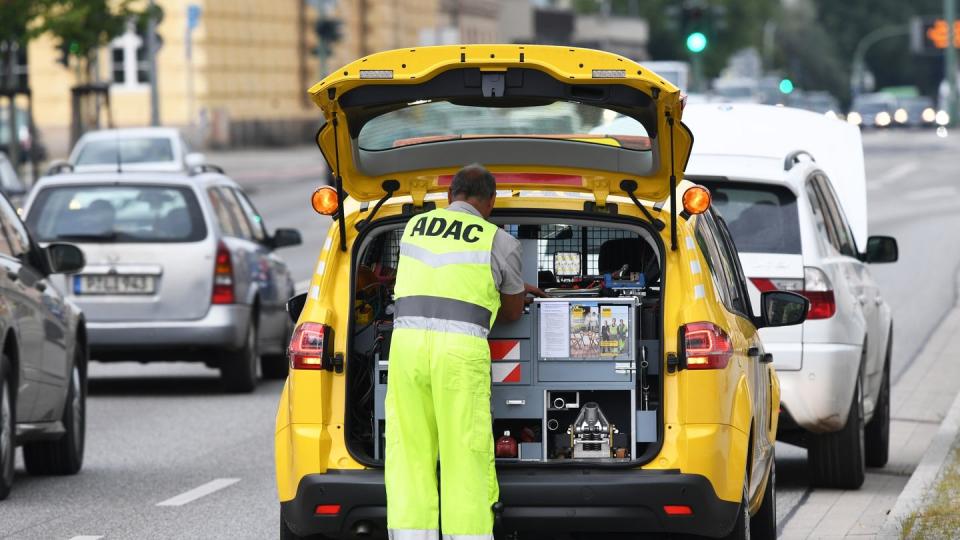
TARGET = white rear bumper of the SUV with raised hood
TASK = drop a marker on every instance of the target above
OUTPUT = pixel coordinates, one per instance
(818, 396)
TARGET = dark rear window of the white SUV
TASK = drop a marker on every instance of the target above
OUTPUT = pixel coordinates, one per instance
(761, 219)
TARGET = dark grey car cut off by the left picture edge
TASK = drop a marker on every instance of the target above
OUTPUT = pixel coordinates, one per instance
(43, 356)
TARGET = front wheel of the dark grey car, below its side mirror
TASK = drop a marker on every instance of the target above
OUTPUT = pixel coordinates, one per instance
(64, 455)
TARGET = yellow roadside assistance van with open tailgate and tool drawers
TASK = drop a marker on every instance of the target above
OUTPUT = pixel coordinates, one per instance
(637, 397)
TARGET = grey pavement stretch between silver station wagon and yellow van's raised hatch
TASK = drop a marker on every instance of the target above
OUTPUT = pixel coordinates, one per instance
(259, 166)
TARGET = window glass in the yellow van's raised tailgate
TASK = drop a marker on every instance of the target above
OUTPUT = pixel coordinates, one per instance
(442, 121)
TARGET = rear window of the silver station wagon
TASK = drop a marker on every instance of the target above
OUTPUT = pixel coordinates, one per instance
(112, 213)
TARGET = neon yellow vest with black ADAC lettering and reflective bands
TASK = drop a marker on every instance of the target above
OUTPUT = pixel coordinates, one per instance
(444, 279)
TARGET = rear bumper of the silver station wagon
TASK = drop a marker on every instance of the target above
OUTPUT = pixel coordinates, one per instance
(224, 326)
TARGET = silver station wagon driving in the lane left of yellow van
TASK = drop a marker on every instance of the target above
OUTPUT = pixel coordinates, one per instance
(179, 267)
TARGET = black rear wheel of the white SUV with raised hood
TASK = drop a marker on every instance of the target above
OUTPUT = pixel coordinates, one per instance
(836, 460)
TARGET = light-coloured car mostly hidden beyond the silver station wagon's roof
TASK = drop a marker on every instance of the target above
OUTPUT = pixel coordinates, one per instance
(134, 149)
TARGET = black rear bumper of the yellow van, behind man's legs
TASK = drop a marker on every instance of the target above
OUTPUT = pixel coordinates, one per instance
(568, 500)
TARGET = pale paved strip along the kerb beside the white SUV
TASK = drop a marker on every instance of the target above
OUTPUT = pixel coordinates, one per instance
(921, 399)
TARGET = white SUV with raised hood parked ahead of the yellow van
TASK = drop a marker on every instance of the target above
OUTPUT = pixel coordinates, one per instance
(791, 186)
